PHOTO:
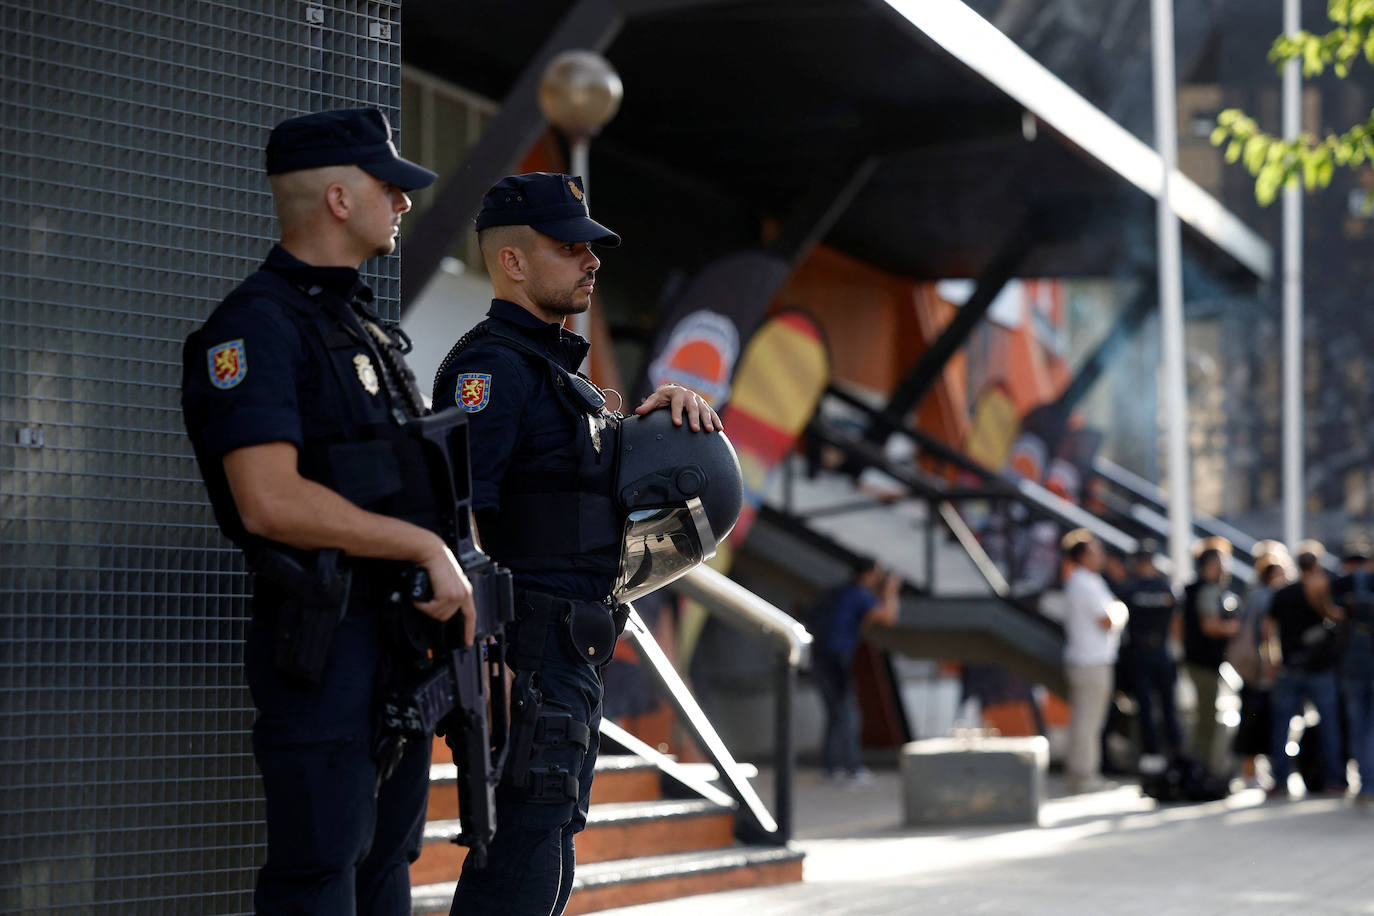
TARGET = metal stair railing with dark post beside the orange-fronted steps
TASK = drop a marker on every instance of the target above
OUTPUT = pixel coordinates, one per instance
(754, 822)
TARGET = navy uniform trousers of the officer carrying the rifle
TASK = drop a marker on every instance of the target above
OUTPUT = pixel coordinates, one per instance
(337, 847)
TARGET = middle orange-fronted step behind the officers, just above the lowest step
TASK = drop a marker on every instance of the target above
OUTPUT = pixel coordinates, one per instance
(618, 830)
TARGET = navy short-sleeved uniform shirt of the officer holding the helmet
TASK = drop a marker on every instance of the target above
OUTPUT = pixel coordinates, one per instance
(520, 431)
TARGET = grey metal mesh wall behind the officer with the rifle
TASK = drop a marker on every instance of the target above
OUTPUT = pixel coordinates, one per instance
(131, 201)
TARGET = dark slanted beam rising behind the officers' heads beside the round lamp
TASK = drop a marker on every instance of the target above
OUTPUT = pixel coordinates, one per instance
(590, 24)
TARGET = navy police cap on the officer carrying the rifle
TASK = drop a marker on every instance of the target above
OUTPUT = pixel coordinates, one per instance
(346, 137)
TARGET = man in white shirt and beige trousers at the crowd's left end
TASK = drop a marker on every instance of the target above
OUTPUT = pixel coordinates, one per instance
(1093, 626)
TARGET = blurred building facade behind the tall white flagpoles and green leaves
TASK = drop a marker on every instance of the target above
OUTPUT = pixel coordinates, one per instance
(1103, 50)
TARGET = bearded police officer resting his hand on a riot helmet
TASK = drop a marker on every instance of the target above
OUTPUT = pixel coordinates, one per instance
(542, 494)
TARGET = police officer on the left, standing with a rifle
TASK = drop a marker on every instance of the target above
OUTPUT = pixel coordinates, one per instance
(295, 398)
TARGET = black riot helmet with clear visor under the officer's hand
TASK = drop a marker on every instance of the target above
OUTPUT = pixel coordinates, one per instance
(681, 495)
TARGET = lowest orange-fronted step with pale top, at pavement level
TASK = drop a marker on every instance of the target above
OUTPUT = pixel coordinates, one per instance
(607, 885)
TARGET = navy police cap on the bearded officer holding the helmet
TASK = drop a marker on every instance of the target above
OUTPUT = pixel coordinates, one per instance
(548, 203)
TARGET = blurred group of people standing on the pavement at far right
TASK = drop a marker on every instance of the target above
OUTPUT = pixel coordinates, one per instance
(1289, 637)
